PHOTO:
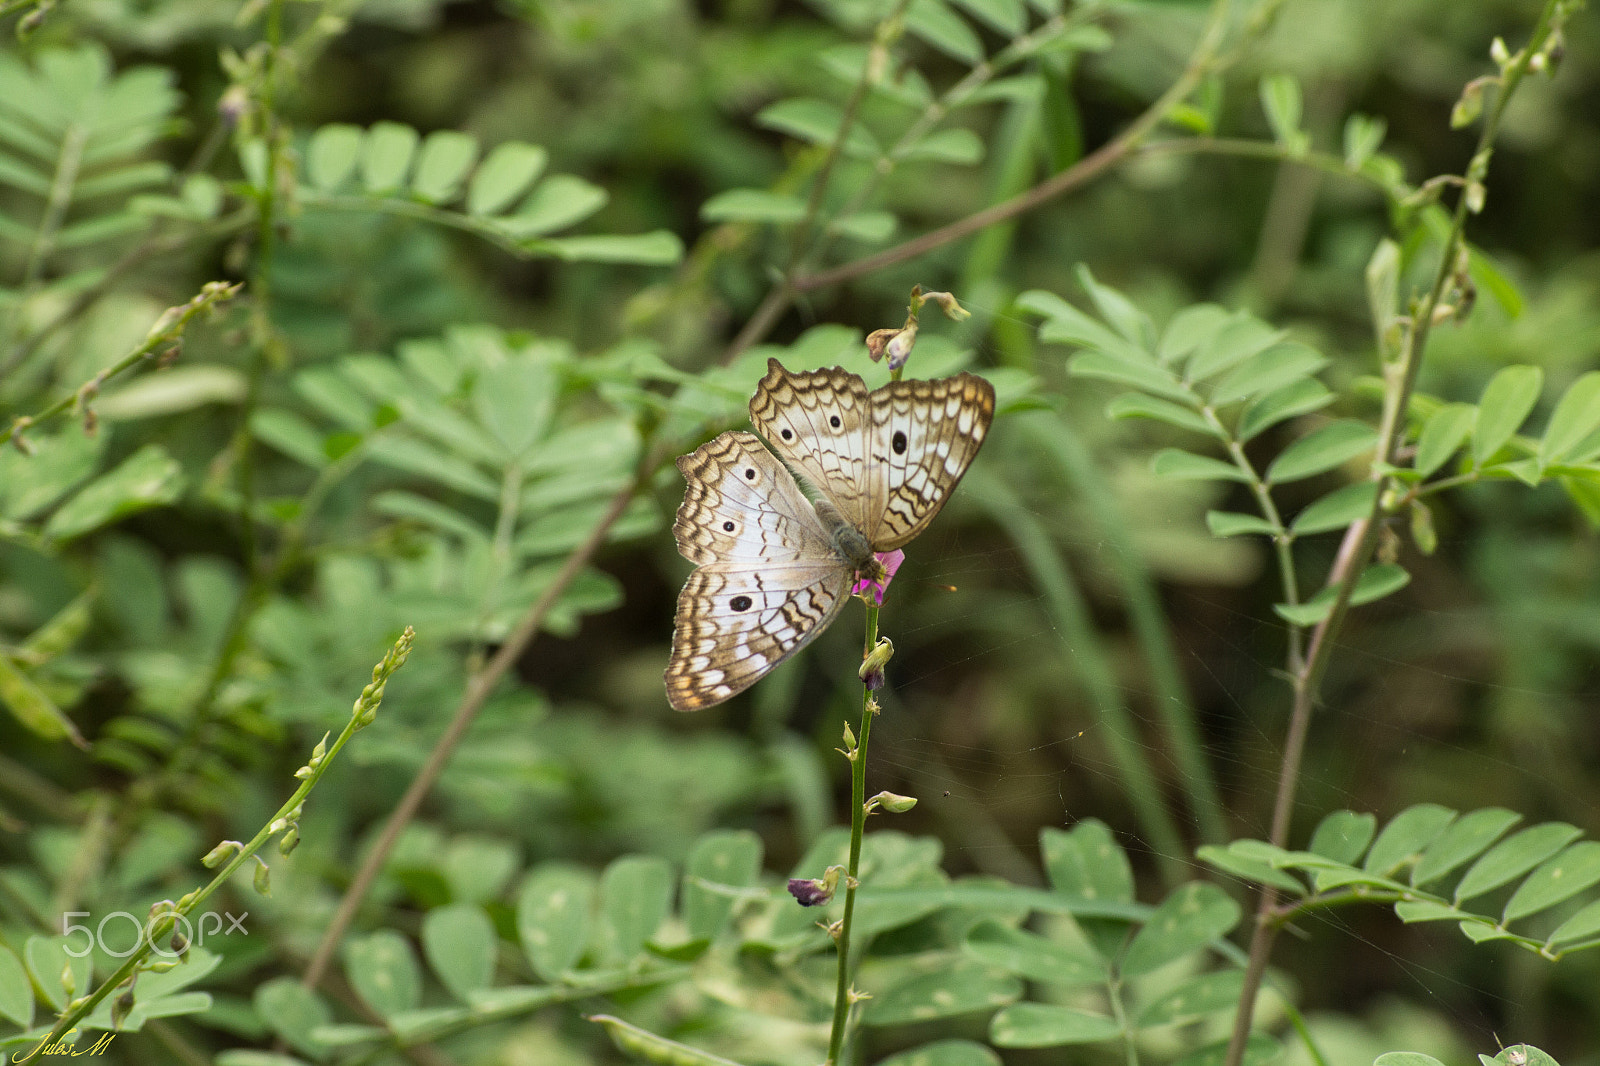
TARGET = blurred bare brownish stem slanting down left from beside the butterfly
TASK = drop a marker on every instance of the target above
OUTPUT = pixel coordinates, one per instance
(473, 700)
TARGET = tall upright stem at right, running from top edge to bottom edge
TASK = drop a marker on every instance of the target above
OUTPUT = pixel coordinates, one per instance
(1361, 539)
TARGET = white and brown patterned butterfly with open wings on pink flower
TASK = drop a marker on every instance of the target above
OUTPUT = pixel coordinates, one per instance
(775, 567)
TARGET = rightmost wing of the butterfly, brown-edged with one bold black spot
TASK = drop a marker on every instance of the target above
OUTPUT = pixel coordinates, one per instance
(922, 438)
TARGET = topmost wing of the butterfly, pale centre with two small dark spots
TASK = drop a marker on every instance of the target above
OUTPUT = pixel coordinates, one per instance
(818, 422)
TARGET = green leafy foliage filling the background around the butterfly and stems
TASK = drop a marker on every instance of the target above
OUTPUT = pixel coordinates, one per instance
(502, 263)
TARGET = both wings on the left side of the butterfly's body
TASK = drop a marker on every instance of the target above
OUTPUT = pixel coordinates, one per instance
(769, 580)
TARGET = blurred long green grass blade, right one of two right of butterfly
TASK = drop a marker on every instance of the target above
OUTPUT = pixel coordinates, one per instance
(1058, 441)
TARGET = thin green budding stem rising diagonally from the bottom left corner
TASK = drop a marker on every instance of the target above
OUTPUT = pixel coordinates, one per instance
(361, 718)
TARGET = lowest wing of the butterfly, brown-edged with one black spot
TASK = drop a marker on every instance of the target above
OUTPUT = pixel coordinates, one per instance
(738, 622)
